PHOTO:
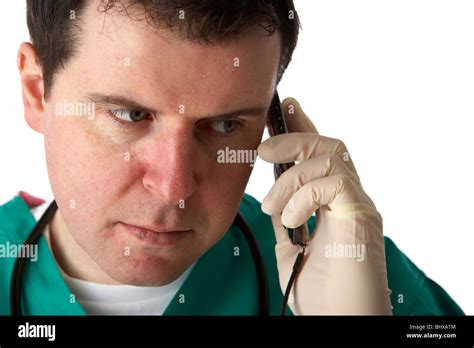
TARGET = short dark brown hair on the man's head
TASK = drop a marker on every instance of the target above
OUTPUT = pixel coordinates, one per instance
(55, 25)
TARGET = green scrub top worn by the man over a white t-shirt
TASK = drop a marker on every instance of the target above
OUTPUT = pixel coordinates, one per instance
(223, 281)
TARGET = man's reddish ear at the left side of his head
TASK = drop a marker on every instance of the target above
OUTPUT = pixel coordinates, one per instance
(32, 86)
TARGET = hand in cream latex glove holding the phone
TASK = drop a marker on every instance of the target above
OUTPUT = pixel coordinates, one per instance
(344, 270)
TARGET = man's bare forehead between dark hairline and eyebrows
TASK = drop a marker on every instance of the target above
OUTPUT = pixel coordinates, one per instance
(129, 57)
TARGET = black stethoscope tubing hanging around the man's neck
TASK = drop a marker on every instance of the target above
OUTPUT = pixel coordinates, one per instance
(36, 233)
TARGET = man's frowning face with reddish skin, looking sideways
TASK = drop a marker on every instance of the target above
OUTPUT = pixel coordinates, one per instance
(161, 172)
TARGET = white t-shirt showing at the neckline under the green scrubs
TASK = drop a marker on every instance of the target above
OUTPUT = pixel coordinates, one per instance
(105, 299)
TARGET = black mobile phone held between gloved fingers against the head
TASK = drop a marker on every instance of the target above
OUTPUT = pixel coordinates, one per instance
(277, 125)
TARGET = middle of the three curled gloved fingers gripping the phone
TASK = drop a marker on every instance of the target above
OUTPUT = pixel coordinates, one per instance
(297, 176)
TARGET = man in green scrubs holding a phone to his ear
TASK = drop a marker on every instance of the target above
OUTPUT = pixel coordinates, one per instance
(136, 100)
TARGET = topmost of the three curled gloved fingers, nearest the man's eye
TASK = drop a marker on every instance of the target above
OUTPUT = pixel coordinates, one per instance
(291, 147)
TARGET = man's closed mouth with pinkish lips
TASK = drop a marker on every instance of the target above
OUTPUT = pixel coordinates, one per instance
(163, 238)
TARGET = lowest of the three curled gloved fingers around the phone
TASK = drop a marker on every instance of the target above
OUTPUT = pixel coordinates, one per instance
(332, 191)
